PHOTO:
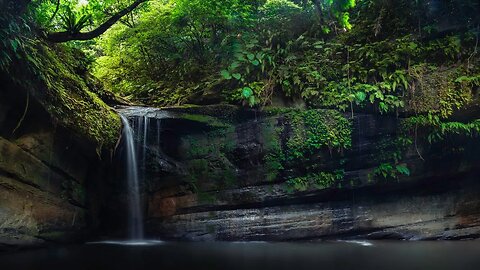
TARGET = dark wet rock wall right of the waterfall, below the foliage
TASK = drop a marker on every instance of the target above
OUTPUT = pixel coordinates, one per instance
(222, 189)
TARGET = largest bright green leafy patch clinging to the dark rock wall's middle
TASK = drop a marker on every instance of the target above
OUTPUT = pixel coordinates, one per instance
(302, 134)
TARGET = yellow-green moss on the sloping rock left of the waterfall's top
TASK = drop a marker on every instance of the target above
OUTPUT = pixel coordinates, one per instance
(64, 93)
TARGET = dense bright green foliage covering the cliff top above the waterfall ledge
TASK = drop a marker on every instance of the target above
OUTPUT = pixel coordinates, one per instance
(340, 54)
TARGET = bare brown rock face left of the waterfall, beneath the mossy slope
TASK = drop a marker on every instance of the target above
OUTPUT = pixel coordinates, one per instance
(46, 173)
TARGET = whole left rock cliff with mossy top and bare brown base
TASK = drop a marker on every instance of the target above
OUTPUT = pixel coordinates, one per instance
(56, 139)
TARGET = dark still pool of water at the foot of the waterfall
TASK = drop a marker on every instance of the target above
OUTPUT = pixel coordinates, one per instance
(160, 255)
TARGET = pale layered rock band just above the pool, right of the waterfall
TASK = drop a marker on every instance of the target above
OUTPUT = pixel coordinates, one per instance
(361, 214)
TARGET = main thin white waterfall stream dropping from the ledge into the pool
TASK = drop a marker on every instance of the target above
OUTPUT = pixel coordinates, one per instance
(135, 216)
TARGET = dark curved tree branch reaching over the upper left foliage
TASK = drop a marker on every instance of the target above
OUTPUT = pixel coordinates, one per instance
(59, 37)
